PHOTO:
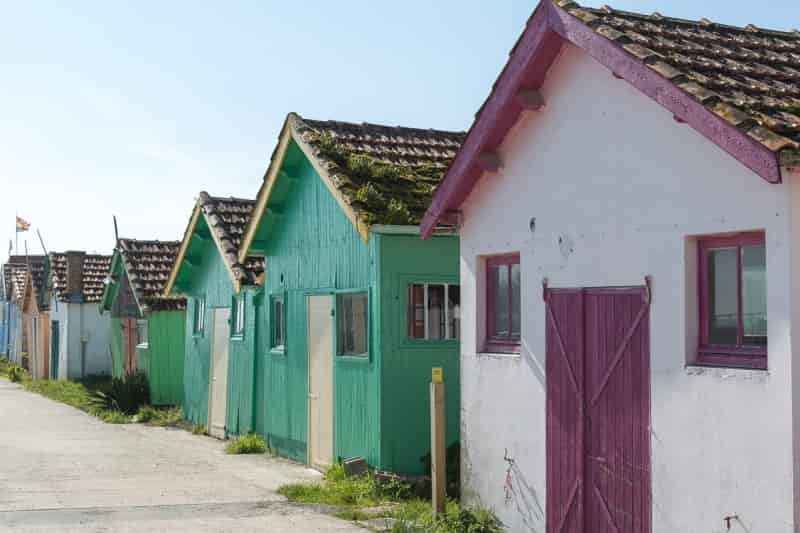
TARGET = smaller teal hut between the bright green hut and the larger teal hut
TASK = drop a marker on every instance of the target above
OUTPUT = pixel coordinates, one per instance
(222, 293)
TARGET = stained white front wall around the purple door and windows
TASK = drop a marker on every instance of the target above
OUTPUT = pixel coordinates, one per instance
(617, 188)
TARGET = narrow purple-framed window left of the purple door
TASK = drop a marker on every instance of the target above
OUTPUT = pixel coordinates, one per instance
(503, 320)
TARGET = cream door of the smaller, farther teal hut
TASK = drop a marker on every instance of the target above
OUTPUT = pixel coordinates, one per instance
(218, 393)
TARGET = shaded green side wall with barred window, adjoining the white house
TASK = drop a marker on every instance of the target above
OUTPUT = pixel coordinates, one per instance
(407, 363)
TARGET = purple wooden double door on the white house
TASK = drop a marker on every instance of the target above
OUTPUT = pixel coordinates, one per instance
(604, 336)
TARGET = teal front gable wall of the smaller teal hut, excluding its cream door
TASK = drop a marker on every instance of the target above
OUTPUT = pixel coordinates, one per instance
(210, 280)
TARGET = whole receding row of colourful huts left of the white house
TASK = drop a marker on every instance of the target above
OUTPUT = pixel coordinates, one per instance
(311, 314)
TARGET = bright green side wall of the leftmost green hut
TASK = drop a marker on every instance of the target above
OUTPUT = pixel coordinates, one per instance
(163, 358)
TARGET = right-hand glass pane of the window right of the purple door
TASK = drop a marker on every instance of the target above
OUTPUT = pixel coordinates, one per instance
(754, 295)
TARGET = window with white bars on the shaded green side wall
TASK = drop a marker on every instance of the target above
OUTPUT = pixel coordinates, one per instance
(434, 311)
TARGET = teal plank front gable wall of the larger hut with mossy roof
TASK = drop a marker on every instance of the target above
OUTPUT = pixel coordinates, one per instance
(311, 247)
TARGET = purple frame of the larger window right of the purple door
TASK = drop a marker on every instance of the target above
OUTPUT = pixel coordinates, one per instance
(740, 355)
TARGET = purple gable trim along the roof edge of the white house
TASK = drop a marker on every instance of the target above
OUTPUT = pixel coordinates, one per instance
(530, 60)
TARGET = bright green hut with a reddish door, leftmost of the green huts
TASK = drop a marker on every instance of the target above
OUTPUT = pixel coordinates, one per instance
(147, 327)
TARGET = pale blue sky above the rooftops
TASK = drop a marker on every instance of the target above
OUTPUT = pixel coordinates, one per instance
(132, 108)
